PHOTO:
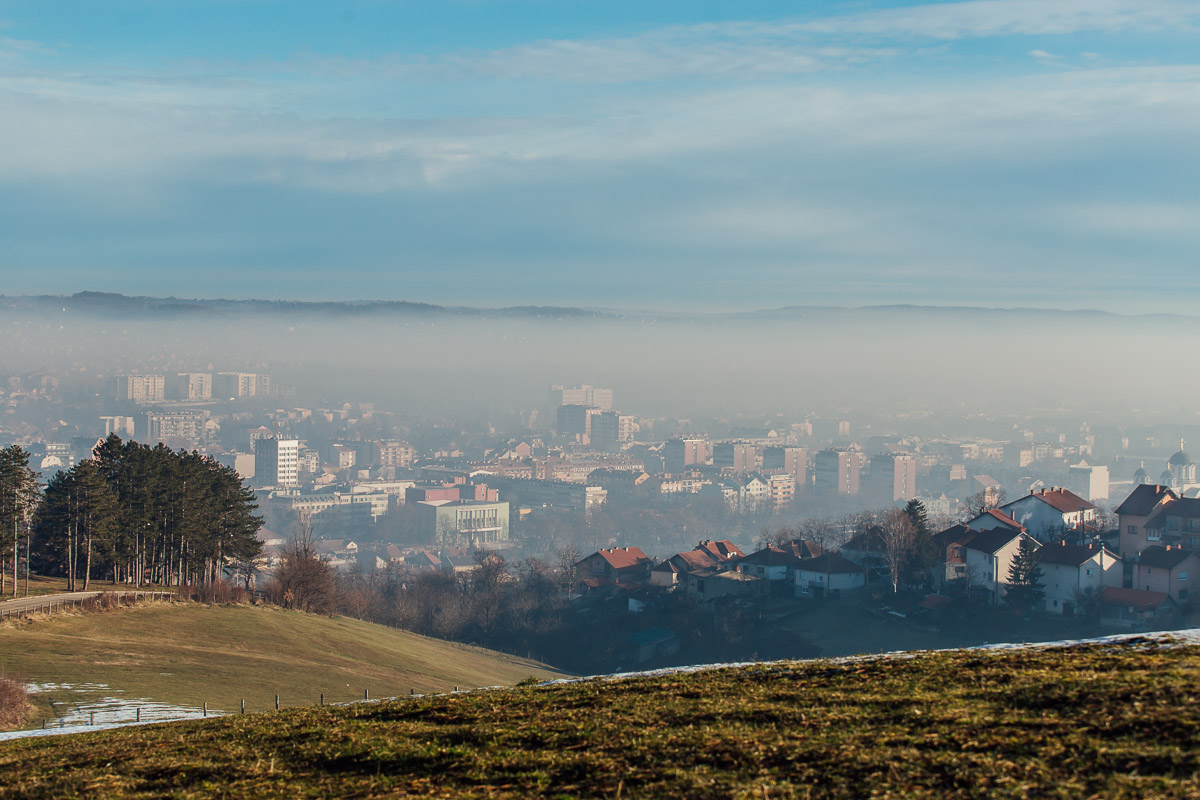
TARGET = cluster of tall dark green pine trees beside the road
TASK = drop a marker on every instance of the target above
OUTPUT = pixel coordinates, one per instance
(131, 514)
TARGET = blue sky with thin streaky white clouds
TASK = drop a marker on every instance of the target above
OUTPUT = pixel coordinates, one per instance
(651, 154)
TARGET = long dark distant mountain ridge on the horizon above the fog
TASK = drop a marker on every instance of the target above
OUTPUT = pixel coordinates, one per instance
(119, 305)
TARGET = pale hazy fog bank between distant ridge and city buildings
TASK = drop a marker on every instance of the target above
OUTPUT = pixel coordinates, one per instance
(469, 362)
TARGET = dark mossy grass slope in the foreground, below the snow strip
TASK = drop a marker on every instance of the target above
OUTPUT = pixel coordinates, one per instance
(1106, 720)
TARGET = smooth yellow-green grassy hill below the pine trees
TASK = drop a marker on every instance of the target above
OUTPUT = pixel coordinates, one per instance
(190, 654)
